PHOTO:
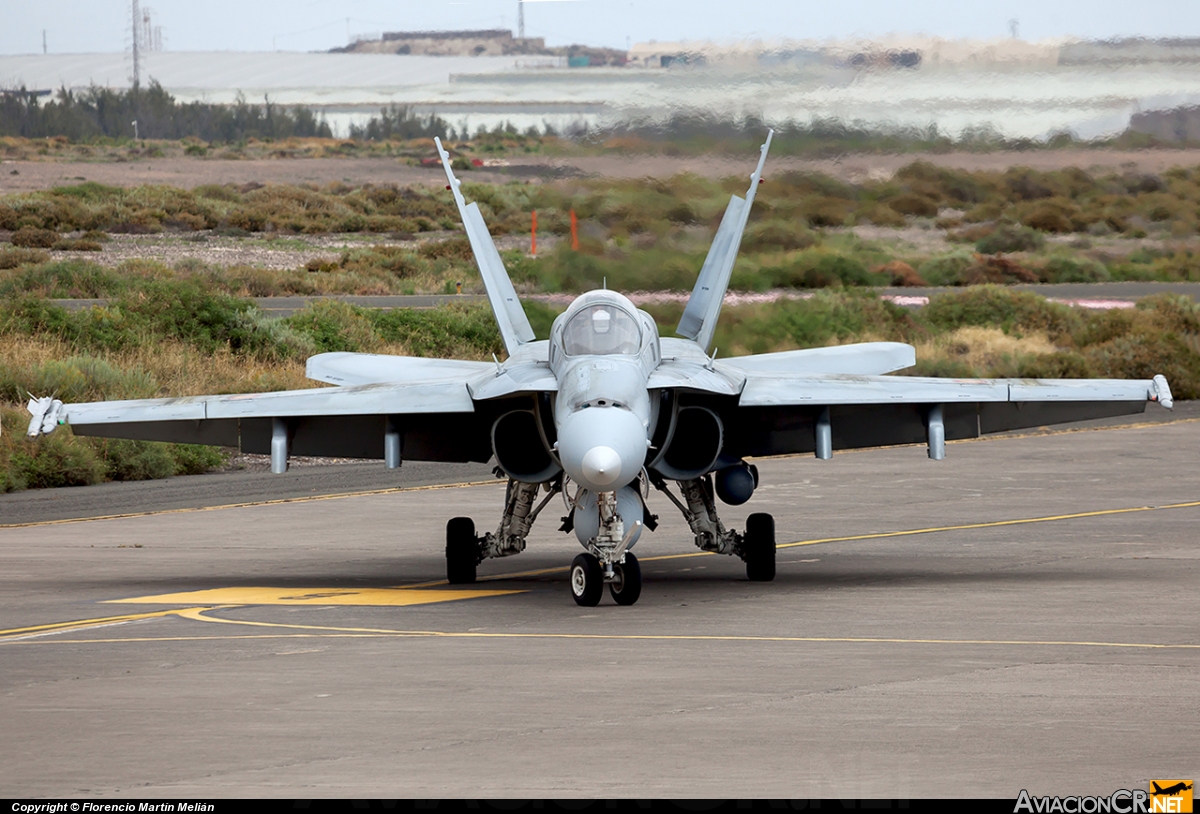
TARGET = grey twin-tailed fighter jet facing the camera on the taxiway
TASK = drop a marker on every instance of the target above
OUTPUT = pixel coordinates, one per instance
(605, 411)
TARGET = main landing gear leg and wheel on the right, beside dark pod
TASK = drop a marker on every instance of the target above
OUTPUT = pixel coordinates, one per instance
(757, 548)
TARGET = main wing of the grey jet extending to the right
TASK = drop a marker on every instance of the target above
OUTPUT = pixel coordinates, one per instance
(778, 414)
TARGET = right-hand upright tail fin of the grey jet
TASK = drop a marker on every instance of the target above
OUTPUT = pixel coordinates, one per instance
(705, 306)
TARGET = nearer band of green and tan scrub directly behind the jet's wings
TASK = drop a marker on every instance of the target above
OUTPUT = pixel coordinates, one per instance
(134, 350)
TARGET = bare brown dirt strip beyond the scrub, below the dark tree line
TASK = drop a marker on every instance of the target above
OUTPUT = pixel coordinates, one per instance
(190, 172)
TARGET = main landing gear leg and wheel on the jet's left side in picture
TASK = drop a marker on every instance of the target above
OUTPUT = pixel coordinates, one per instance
(465, 550)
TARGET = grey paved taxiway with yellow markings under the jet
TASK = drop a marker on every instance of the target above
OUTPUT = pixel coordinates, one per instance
(1023, 615)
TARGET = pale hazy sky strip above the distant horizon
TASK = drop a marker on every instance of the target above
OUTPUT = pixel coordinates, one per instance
(104, 26)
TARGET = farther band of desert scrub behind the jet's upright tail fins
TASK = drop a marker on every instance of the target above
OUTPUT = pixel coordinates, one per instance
(653, 234)
